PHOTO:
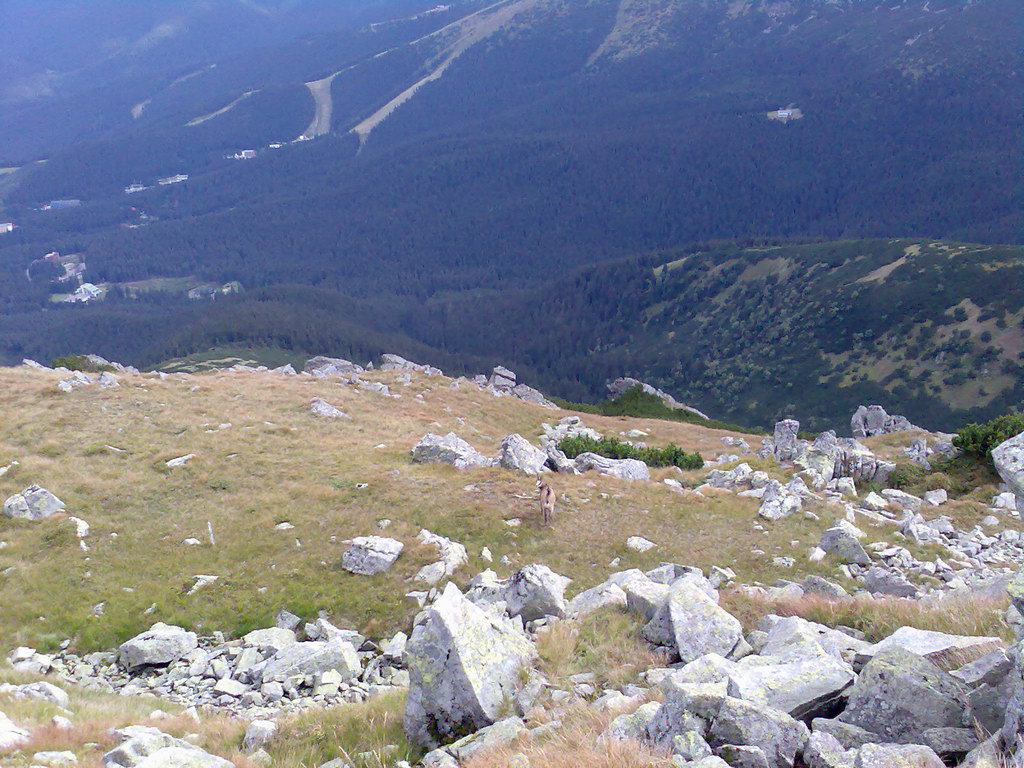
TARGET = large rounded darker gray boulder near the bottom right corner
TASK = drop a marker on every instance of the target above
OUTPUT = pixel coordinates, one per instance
(900, 696)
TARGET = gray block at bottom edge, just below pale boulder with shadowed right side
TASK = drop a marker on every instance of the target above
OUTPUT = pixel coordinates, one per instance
(749, 724)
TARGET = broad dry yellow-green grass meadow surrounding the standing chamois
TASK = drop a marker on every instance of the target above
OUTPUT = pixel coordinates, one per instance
(104, 453)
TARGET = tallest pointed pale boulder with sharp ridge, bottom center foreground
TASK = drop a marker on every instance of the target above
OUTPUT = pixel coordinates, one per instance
(464, 667)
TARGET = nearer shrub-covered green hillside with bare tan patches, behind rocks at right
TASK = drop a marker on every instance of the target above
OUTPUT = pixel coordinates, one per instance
(933, 330)
